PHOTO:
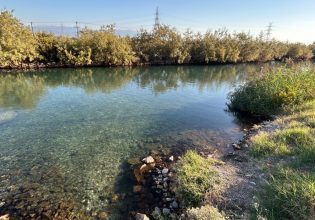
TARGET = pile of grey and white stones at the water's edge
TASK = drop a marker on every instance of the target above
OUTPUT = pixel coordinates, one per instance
(154, 176)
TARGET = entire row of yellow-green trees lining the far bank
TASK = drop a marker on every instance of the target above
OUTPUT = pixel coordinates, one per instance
(163, 45)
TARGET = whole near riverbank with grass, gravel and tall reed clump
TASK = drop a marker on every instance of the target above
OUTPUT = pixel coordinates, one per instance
(267, 174)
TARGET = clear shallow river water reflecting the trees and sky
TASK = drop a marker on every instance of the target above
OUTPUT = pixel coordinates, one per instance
(74, 129)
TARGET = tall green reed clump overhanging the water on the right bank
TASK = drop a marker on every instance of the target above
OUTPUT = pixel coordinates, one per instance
(274, 91)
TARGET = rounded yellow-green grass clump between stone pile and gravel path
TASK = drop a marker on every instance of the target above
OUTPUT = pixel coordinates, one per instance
(196, 176)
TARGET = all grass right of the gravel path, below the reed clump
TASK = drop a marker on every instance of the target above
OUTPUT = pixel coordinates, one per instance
(290, 190)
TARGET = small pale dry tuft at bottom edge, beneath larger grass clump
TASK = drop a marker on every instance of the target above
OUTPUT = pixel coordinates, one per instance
(204, 213)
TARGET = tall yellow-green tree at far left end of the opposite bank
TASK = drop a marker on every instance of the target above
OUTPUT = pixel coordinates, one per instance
(17, 44)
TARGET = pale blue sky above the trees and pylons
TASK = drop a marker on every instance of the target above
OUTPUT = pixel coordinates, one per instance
(292, 20)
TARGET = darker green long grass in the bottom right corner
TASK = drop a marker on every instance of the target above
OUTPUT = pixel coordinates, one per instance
(289, 194)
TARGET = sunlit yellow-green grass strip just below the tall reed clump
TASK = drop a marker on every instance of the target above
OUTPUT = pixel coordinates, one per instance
(295, 138)
